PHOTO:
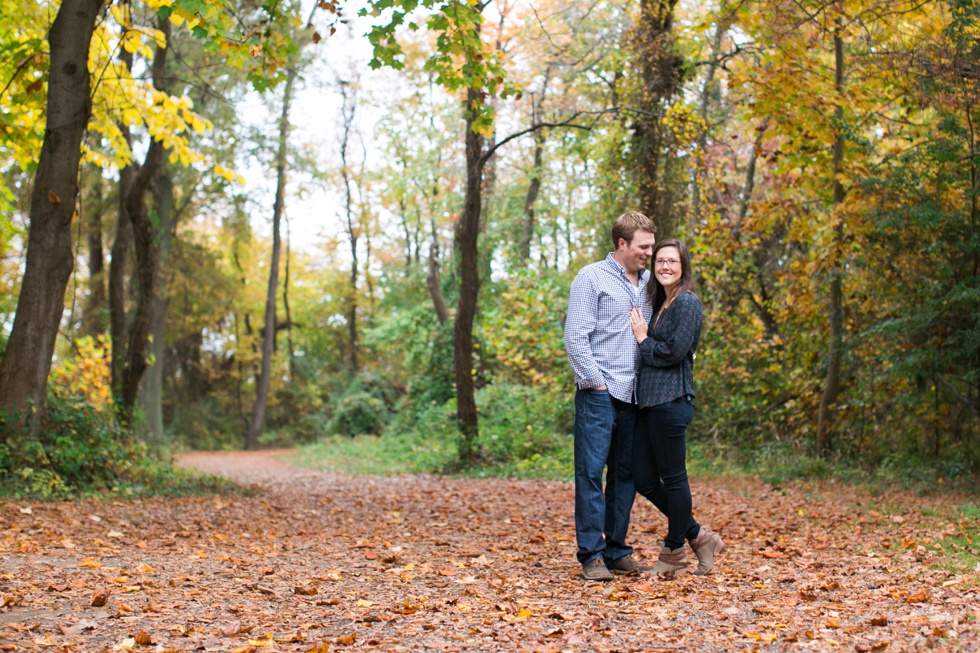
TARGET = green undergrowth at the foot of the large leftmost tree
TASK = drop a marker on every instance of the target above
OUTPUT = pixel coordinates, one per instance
(81, 451)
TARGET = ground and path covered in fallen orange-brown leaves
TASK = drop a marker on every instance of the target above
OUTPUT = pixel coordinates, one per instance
(419, 563)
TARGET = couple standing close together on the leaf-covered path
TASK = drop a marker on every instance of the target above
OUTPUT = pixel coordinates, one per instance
(631, 341)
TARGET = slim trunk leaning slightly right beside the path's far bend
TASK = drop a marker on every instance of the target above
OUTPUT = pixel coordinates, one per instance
(269, 334)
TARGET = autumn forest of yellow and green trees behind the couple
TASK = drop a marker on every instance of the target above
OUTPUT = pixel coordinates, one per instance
(821, 158)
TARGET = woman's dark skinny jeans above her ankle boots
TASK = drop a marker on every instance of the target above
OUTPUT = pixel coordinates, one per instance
(660, 467)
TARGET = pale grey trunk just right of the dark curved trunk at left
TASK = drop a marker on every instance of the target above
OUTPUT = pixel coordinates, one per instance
(151, 394)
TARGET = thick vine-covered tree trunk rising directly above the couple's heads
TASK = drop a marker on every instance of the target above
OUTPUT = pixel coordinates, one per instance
(660, 74)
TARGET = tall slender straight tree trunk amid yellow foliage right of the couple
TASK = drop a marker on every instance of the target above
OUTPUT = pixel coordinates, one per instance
(832, 384)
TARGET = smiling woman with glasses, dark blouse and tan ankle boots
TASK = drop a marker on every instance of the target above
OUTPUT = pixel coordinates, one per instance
(665, 394)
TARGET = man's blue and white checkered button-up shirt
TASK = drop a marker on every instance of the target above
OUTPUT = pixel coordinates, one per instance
(598, 336)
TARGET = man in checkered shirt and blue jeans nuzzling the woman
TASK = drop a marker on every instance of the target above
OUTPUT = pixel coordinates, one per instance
(603, 352)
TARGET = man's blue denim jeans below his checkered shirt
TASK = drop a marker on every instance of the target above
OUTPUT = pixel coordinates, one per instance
(603, 437)
